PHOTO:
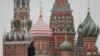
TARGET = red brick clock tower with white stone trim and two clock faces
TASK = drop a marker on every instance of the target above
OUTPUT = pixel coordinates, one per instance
(15, 43)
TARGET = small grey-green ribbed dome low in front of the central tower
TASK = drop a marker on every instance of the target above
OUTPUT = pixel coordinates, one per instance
(65, 46)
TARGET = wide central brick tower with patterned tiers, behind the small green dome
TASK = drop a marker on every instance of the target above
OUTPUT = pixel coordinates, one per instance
(61, 23)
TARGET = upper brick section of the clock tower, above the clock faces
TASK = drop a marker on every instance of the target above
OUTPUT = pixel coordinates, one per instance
(21, 8)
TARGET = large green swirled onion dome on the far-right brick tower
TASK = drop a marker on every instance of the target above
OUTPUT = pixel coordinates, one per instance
(89, 27)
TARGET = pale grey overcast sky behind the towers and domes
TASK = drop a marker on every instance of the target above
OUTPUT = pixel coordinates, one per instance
(79, 8)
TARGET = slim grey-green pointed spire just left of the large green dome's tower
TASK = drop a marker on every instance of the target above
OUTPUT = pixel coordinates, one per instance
(79, 48)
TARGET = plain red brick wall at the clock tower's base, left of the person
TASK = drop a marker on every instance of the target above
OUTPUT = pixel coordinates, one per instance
(15, 49)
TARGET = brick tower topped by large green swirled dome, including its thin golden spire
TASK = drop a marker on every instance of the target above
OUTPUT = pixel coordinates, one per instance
(90, 34)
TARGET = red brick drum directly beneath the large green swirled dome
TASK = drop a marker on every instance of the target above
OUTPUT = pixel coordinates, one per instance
(89, 44)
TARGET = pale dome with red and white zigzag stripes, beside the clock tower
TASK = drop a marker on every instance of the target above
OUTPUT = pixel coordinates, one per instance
(40, 28)
